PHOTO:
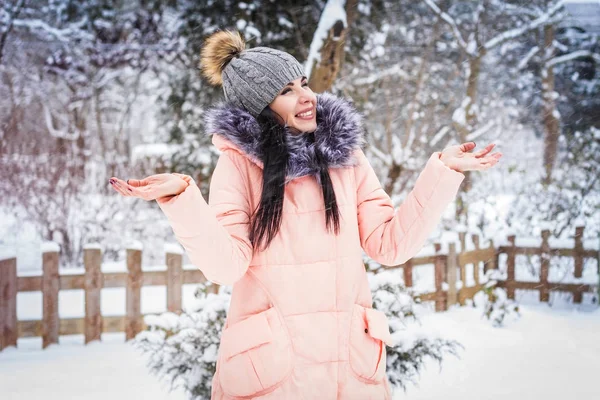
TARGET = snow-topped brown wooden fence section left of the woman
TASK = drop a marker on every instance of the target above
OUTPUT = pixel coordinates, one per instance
(92, 280)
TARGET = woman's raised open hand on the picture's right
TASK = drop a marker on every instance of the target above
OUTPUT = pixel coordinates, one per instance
(459, 159)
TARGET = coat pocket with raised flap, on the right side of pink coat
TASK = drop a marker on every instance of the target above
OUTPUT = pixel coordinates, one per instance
(369, 333)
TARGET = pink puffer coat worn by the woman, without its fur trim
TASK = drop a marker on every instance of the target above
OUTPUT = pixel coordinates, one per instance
(301, 323)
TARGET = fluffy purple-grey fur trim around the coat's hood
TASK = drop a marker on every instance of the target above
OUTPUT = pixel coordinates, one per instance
(339, 133)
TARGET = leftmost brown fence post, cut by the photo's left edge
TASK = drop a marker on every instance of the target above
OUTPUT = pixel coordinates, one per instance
(8, 302)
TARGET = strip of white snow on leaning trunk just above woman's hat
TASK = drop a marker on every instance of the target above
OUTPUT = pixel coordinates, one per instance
(333, 12)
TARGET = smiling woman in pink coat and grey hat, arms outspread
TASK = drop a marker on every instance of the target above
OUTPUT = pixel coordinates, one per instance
(293, 203)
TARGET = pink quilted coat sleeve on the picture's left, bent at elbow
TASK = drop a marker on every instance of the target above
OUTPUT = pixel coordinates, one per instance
(214, 236)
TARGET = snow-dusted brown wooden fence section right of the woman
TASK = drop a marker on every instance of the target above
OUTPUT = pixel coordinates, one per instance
(451, 268)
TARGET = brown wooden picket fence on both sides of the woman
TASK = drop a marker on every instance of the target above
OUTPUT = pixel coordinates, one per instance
(449, 268)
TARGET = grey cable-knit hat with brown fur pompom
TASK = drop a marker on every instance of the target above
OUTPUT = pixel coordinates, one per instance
(251, 78)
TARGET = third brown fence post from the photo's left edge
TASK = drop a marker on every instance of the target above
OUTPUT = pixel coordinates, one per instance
(93, 283)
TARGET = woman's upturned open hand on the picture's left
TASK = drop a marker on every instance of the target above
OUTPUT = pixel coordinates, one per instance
(152, 187)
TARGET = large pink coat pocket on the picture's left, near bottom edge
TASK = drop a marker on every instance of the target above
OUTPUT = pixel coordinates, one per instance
(255, 355)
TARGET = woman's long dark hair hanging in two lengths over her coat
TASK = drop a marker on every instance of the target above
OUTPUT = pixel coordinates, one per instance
(266, 220)
